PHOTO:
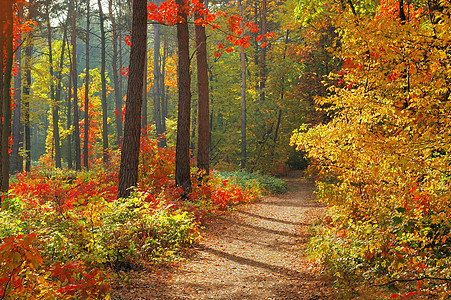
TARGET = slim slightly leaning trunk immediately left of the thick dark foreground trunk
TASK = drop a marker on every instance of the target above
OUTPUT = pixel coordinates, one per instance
(116, 80)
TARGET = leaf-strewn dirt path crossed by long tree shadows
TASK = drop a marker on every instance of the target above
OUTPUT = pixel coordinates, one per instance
(254, 252)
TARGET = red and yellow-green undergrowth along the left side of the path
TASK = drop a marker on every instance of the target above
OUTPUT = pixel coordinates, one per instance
(63, 231)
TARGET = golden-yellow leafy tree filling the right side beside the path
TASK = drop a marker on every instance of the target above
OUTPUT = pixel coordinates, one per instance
(385, 147)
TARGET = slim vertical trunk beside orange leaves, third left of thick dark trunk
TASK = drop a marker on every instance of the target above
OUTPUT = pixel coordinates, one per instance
(86, 128)
